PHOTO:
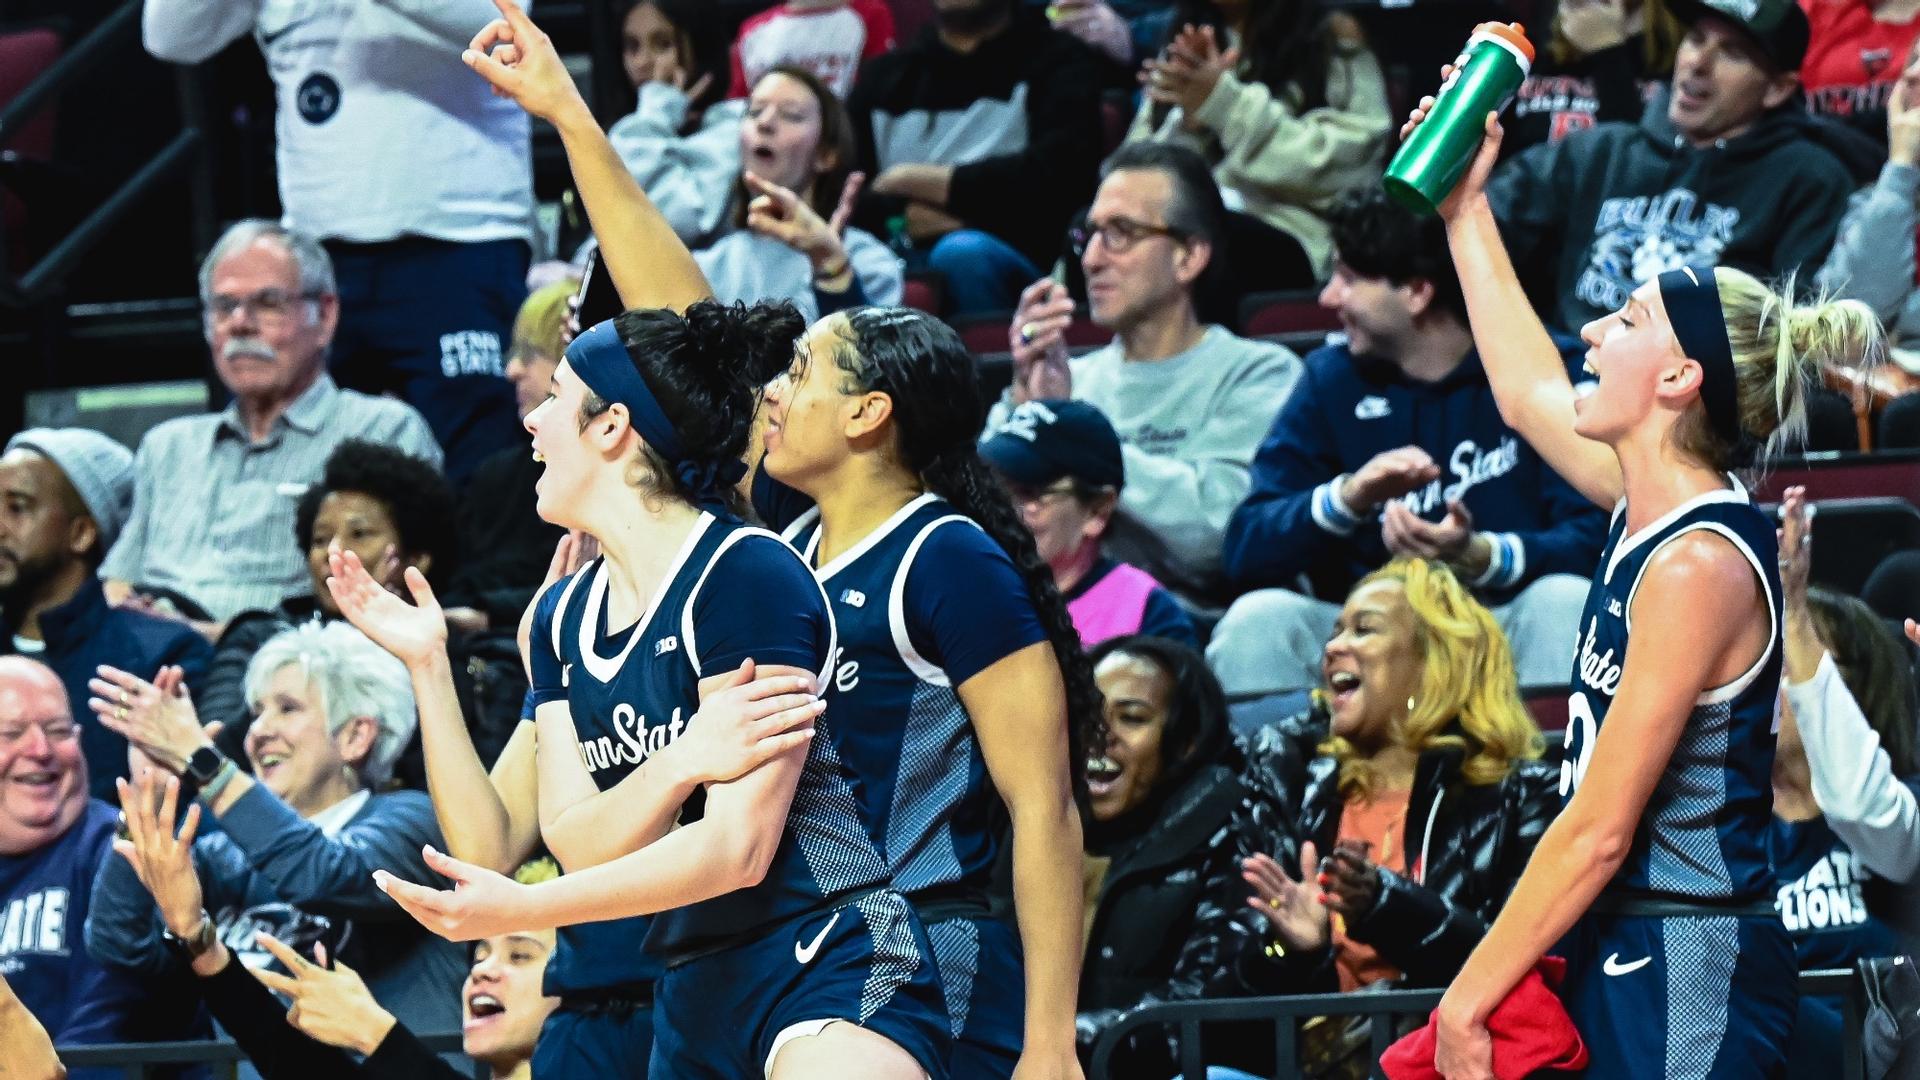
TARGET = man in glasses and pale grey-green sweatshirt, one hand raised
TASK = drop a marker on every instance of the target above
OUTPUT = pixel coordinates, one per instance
(1189, 401)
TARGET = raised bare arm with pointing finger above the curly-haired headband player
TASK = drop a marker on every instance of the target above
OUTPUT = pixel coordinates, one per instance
(650, 266)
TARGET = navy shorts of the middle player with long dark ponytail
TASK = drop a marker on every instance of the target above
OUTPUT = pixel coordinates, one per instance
(986, 991)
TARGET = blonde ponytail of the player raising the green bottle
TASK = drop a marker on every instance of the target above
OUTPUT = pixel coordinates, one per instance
(1781, 351)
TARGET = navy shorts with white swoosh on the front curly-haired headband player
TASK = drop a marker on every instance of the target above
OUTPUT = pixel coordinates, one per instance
(727, 1016)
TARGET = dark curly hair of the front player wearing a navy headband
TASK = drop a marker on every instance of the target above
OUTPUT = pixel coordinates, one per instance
(708, 370)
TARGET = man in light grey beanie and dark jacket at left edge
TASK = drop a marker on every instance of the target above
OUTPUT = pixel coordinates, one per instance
(64, 497)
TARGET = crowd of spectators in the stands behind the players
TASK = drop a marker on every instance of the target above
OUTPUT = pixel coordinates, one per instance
(1320, 593)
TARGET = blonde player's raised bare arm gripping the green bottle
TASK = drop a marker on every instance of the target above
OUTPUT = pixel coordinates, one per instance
(1524, 366)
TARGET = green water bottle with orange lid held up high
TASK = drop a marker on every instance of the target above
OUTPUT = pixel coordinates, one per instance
(1441, 149)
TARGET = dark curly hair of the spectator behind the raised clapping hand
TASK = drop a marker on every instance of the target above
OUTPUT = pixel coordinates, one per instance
(412, 491)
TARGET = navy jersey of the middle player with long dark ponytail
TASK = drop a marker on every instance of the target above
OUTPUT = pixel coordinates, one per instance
(923, 604)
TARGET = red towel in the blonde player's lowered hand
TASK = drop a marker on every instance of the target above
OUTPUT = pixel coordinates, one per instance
(1531, 1031)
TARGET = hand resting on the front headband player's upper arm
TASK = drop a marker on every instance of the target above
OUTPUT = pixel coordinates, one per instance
(746, 724)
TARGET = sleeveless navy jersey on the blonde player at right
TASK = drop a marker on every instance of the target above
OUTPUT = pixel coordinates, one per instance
(1704, 833)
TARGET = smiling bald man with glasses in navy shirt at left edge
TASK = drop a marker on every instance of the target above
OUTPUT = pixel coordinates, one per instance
(53, 841)
